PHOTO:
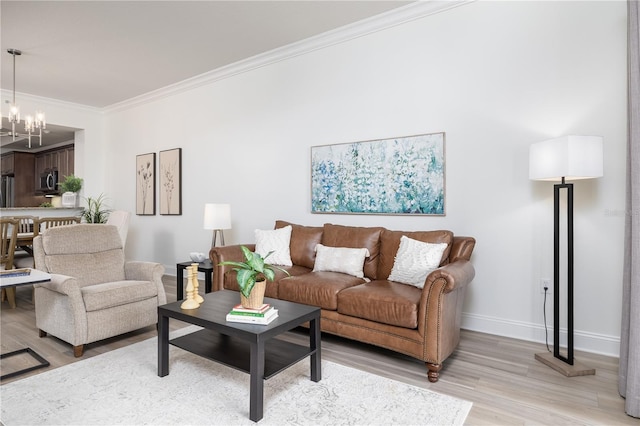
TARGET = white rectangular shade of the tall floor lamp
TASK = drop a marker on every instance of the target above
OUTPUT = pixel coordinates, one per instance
(572, 157)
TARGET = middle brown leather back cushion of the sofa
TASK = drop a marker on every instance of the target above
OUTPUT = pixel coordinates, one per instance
(356, 237)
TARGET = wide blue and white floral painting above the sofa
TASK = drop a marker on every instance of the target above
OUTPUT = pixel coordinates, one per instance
(404, 175)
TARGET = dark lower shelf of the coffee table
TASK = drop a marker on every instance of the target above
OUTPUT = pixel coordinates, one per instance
(235, 353)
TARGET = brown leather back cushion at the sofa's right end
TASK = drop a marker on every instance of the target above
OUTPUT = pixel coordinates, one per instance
(390, 242)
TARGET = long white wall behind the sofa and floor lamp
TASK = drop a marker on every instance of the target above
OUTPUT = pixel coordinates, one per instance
(495, 76)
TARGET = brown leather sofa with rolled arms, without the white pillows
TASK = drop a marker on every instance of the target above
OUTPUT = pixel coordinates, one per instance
(422, 323)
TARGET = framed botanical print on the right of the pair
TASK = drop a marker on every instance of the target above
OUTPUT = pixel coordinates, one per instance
(171, 182)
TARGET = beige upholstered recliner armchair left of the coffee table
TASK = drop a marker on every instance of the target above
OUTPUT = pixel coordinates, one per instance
(93, 294)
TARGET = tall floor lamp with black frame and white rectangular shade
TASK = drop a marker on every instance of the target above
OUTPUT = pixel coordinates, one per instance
(562, 159)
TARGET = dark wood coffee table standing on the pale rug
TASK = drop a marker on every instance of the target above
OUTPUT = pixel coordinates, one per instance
(254, 349)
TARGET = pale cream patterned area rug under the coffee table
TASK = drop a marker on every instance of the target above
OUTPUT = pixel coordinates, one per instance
(122, 387)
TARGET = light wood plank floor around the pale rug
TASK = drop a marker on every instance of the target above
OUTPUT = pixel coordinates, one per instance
(499, 375)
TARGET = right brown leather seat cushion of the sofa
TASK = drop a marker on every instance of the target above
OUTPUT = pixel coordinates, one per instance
(385, 302)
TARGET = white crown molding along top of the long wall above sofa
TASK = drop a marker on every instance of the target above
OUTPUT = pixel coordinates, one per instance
(399, 16)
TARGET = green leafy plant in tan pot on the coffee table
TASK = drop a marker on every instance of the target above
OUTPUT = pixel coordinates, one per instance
(252, 277)
